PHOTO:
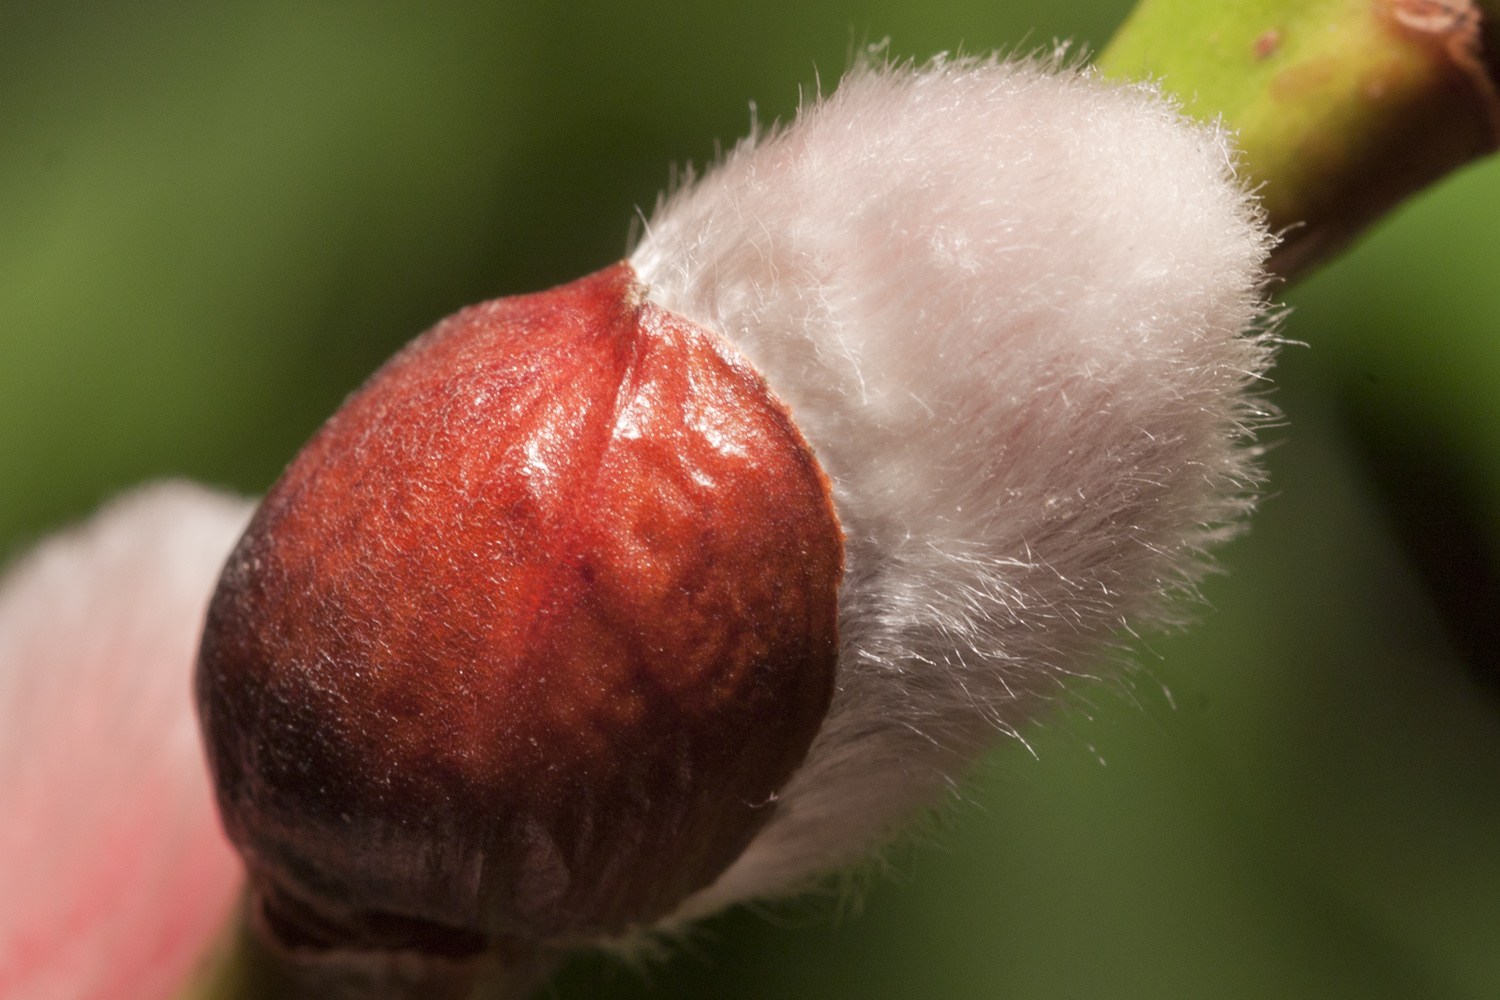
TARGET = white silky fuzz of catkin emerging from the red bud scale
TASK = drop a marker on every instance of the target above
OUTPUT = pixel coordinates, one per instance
(1018, 313)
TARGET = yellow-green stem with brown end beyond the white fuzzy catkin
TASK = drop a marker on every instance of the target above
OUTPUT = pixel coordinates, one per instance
(1343, 109)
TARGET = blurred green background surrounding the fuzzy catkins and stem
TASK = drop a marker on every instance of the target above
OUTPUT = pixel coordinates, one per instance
(217, 220)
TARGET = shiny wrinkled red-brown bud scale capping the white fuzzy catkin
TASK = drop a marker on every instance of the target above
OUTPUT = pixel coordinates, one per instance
(527, 638)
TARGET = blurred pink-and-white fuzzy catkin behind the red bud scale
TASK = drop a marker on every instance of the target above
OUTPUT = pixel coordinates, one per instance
(115, 875)
